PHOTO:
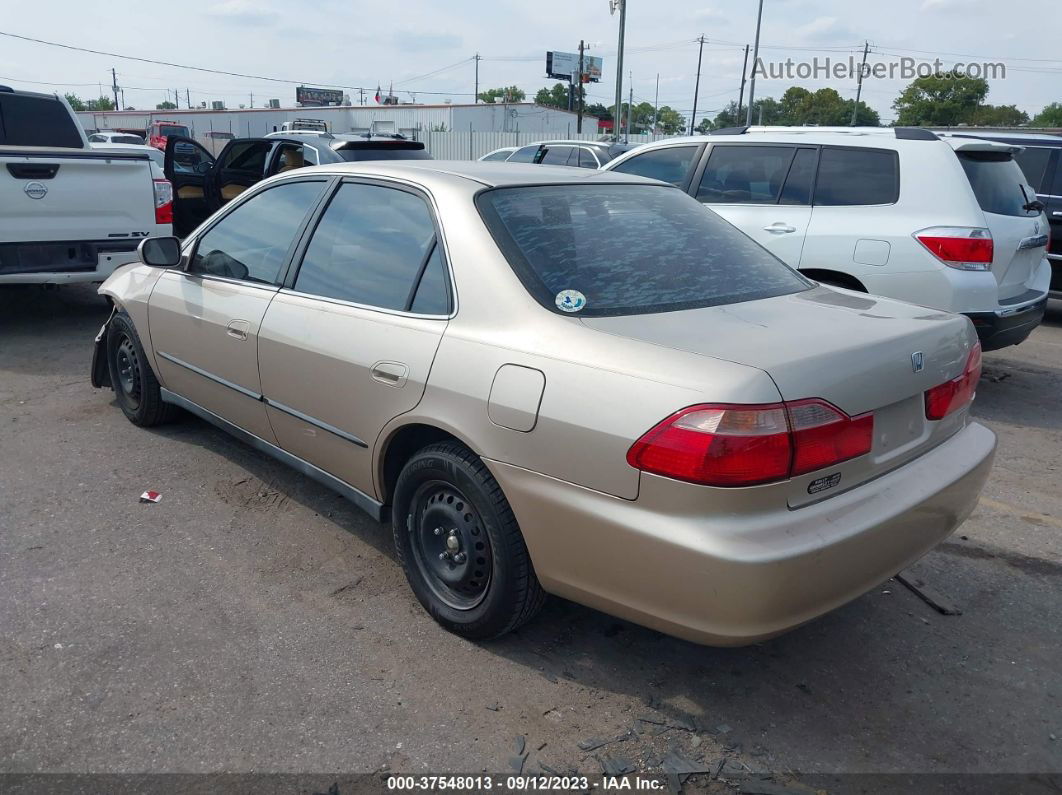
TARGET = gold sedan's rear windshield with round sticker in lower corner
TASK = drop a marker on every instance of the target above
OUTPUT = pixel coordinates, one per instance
(612, 250)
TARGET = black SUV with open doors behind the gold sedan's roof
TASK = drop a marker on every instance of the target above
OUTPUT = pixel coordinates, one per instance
(202, 183)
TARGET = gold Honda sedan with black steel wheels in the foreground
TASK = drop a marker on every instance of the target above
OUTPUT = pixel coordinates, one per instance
(562, 382)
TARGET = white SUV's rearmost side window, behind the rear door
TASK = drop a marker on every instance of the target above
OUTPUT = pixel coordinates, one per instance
(858, 177)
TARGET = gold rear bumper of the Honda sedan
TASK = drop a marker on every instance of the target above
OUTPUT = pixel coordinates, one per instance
(733, 579)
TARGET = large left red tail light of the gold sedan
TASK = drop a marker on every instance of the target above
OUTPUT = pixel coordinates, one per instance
(726, 445)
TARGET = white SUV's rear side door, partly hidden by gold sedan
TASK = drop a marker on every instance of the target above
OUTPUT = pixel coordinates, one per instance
(764, 191)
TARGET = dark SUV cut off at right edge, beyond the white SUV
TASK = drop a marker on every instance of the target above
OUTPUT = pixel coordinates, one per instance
(1042, 164)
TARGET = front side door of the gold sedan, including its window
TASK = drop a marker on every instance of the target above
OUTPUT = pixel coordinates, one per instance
(204, 319)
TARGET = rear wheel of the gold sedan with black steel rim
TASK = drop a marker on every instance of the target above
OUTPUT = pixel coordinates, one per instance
(447, 493)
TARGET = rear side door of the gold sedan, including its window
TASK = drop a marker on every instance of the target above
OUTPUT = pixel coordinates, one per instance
(348, 344)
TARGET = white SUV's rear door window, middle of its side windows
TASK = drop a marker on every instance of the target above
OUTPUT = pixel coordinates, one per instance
(745, 175)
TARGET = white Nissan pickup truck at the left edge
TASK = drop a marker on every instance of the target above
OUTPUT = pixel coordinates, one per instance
(71, 213)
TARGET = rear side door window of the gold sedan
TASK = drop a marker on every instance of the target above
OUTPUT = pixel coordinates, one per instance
(375, 247)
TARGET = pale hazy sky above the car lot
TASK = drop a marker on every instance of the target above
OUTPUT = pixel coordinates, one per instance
(425, 48)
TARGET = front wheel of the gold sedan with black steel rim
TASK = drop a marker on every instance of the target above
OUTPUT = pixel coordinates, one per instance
(136, 388)
